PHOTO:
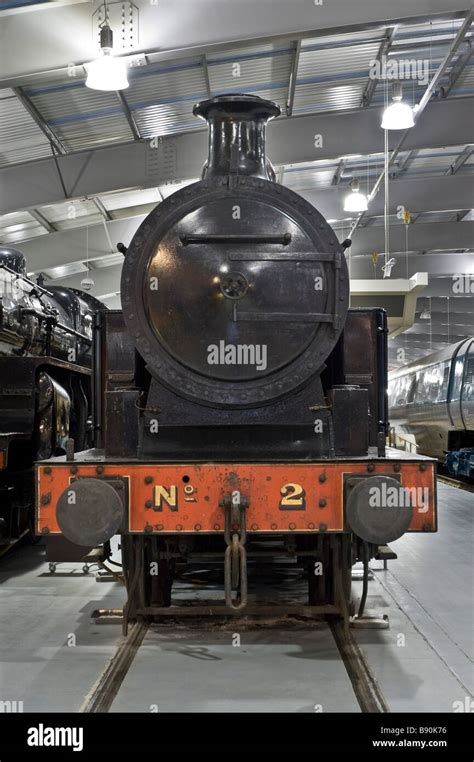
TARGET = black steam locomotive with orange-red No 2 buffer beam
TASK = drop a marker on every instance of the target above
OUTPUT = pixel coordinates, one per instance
(241, 406)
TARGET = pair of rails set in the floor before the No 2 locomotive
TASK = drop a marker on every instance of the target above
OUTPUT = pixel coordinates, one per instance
(360, 677)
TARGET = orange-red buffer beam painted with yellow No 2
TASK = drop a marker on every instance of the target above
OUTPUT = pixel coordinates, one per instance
(289, 498)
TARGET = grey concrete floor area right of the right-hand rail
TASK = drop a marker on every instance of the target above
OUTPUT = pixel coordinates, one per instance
(429, 595)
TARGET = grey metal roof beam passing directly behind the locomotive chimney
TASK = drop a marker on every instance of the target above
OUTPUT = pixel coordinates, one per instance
(290, 141)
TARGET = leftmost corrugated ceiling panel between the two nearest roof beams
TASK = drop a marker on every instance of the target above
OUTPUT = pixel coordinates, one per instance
(20, 137)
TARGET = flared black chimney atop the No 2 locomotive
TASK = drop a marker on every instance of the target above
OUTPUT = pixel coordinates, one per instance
(237, 135)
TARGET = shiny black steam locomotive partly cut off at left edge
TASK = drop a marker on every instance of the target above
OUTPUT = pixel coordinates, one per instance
(45, 383)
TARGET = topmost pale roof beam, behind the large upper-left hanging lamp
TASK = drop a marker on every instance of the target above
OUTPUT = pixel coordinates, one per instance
(207, 29)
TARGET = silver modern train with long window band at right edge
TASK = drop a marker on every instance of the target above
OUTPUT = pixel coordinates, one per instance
(432, 406)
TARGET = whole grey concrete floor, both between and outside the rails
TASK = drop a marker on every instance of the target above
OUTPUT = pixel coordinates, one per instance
(51, 652)
